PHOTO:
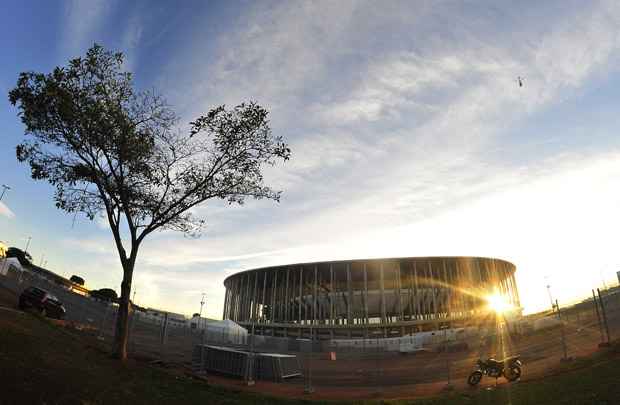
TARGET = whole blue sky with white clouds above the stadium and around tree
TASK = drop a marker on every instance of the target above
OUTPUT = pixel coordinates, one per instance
(410, 136)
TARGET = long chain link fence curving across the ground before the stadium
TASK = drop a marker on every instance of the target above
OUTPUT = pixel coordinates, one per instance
(543, 340)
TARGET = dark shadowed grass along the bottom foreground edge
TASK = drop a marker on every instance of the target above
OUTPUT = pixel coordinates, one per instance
(41, 363)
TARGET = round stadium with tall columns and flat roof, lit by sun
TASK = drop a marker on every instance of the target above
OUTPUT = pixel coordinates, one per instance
(367, 298)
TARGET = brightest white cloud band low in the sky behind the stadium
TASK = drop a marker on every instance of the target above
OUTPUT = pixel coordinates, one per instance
(556, 218)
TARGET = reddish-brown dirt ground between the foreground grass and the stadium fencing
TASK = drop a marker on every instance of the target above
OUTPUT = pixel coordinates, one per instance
(397, 376)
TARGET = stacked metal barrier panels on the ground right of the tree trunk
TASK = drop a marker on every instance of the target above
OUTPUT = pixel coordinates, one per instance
(224, 360)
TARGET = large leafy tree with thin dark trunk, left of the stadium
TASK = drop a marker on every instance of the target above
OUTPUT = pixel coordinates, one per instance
(109, 149)
